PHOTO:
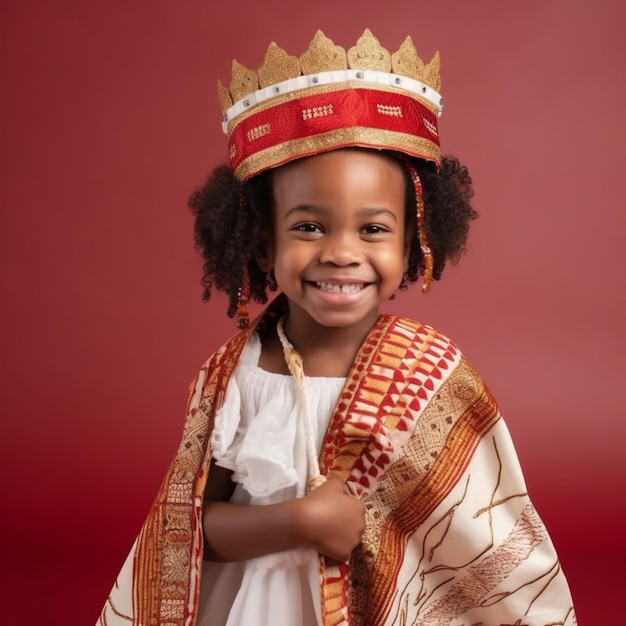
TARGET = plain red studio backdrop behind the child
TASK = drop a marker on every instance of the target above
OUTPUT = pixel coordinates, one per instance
(109, 118)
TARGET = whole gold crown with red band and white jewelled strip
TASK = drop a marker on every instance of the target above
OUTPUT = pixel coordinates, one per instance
(326, 99)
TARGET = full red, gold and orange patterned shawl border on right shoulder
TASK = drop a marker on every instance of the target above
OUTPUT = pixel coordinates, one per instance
(376, 442)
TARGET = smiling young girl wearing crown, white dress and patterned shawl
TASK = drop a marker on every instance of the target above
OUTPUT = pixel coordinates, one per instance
(338, 466)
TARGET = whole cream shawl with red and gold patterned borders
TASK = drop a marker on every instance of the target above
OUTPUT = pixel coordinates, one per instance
(451, 535)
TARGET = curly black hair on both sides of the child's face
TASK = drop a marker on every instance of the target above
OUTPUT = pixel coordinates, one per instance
(232, 217)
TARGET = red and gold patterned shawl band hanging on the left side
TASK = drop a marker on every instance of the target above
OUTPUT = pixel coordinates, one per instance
(168, 557)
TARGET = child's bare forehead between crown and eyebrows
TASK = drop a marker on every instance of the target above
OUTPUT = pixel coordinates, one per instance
(347, 177)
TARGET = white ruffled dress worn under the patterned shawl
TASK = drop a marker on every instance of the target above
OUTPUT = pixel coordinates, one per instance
(259, 435)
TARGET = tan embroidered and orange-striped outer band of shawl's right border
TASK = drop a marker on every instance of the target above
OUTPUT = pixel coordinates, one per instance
(436, 456)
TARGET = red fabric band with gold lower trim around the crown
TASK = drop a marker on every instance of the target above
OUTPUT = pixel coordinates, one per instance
(306, 125)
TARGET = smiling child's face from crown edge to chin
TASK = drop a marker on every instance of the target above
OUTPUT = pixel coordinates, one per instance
(339, 245)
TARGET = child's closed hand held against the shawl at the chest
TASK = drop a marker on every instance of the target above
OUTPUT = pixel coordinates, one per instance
(331, 520)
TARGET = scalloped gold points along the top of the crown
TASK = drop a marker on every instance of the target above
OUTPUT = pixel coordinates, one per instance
(323, 55)
